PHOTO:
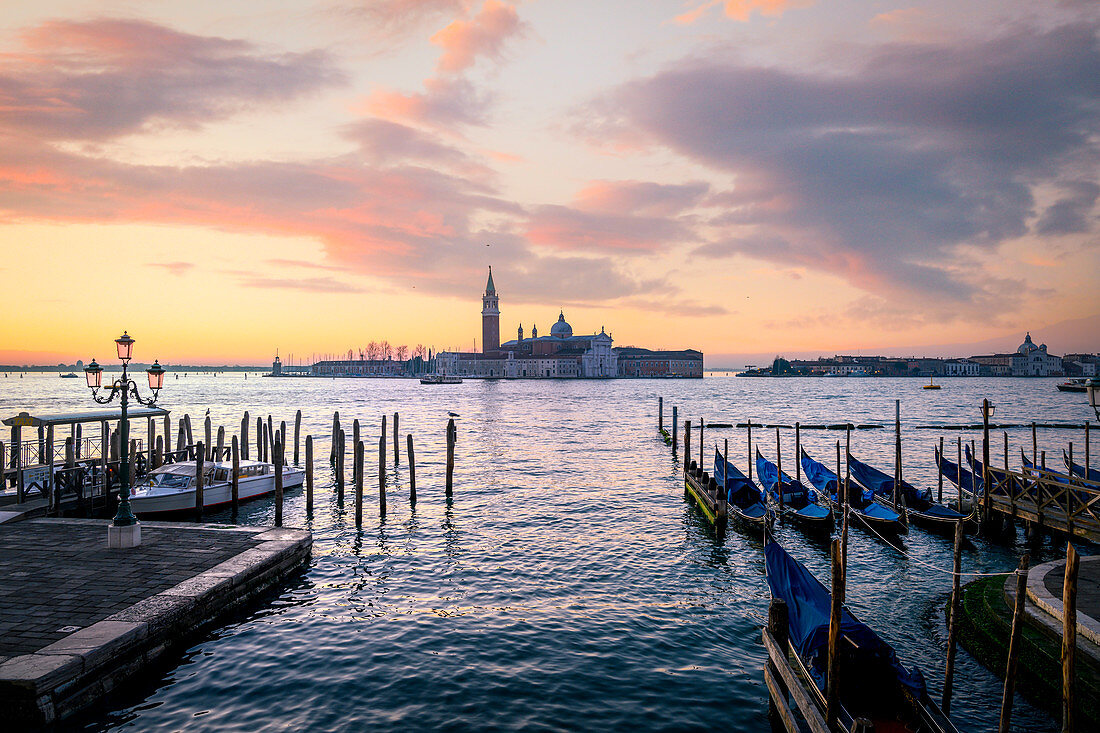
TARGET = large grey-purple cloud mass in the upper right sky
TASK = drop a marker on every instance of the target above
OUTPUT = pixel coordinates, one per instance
(879, 173)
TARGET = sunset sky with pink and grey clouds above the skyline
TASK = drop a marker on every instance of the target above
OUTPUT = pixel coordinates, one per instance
(738, 177)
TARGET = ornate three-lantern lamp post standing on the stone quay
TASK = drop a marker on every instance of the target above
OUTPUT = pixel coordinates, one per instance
(125, 531)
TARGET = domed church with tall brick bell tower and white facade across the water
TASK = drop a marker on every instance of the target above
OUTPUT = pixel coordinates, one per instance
(560, 355)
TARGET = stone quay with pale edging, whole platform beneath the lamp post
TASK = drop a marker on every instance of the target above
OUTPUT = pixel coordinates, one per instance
(79, 620)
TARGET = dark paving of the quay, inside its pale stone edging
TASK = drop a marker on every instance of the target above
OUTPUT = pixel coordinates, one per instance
(57, 578)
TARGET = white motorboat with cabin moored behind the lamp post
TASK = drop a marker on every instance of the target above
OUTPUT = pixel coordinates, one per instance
(172, 488)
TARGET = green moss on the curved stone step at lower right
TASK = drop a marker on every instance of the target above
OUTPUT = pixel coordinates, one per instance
(985, 627)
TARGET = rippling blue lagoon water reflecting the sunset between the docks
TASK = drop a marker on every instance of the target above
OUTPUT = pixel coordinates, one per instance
(569, 586)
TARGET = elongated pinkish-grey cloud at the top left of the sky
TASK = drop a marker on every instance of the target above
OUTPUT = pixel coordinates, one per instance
(98, 80)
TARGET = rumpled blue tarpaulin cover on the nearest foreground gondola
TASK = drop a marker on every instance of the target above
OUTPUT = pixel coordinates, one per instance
(808, 605)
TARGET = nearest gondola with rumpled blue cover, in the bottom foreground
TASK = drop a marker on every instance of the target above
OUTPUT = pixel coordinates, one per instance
(874, 684)
